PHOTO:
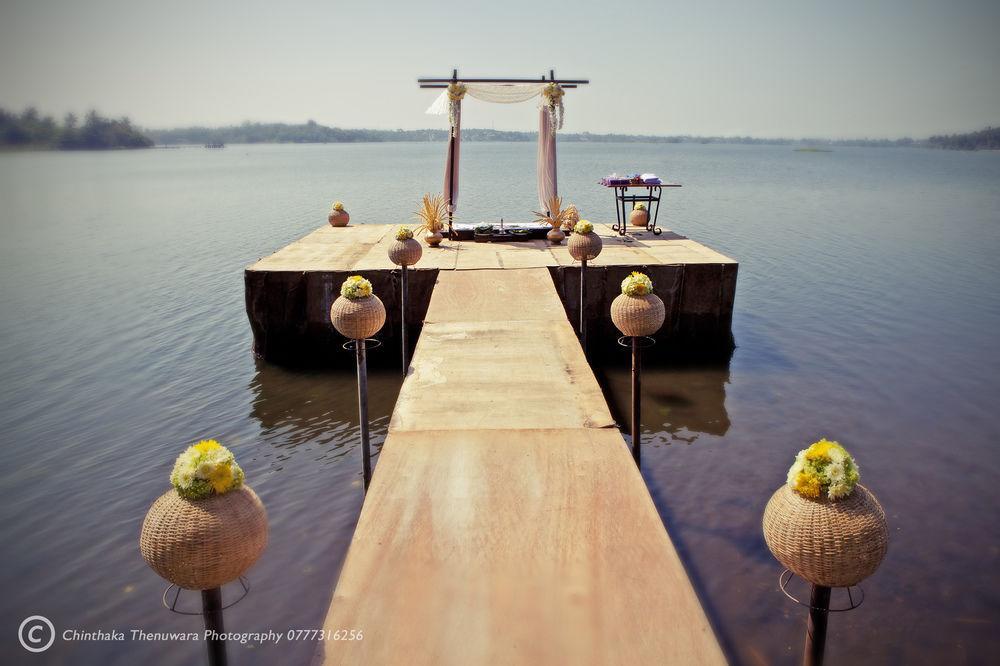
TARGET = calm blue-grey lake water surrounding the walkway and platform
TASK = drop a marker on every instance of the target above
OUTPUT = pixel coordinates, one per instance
(867, 310)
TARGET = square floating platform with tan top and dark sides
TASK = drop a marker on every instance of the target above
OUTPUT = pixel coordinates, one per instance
(289, 293)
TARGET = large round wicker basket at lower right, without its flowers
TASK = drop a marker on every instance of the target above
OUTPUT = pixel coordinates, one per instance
(835, 543)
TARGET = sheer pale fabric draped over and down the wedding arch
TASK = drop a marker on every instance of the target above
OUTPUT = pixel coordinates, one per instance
(501, 93)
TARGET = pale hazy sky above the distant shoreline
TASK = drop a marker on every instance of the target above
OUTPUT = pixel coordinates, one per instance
(796, 68)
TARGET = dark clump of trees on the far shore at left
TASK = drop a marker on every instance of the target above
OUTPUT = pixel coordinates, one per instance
(29, 129)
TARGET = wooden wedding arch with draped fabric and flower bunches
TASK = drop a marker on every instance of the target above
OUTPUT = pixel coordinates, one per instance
(550, 92)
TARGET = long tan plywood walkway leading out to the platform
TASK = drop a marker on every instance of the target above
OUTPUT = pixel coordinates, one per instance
(506, 522)
